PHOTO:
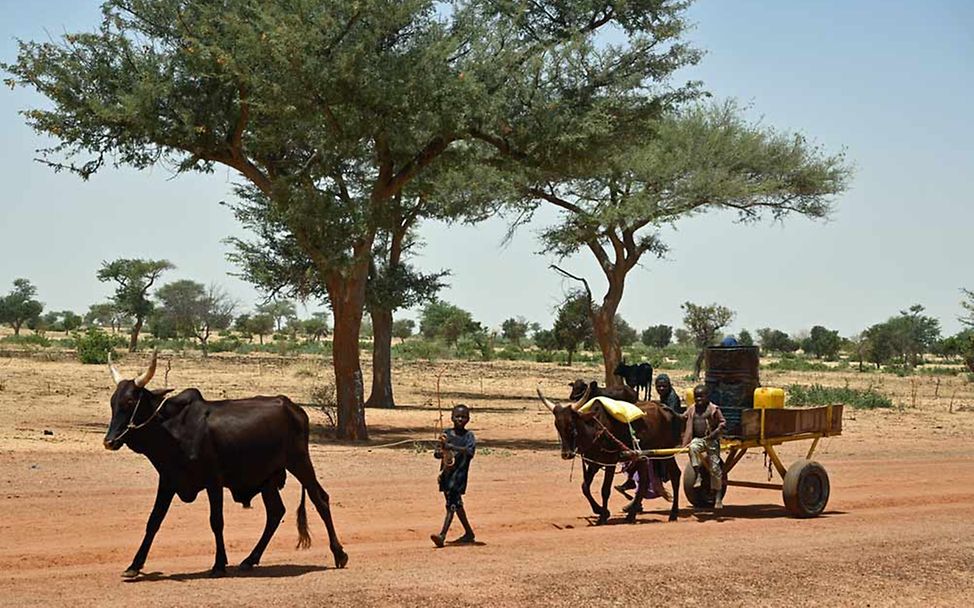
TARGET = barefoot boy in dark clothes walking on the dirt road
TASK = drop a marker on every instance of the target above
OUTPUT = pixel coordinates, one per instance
(453, 479)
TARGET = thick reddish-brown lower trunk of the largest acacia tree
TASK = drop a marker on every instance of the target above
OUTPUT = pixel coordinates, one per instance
(347, 295)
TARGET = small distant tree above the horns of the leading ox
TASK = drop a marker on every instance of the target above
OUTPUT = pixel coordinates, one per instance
(133, 279)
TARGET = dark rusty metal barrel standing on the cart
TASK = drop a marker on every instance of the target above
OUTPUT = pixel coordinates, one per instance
(732, 375)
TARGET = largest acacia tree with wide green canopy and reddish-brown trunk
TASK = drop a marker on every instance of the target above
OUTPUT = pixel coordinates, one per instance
(327, 109)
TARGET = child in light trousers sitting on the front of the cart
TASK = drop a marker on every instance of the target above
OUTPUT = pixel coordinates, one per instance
(705, 424)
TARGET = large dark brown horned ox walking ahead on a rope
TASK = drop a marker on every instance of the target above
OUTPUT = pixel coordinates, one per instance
(245, 445)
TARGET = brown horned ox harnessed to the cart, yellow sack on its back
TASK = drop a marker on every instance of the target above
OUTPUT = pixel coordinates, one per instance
(601, 440)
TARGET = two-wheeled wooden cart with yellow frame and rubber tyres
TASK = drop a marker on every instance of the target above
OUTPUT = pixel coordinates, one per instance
(805, 484)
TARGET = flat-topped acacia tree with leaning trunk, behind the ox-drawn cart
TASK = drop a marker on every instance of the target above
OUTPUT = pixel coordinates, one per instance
(700, 159)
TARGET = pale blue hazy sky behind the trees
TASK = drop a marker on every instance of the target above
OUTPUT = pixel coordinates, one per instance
(888, 82)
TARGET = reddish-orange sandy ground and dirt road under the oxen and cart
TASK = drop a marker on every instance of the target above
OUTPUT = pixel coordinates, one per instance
(899, 528)
